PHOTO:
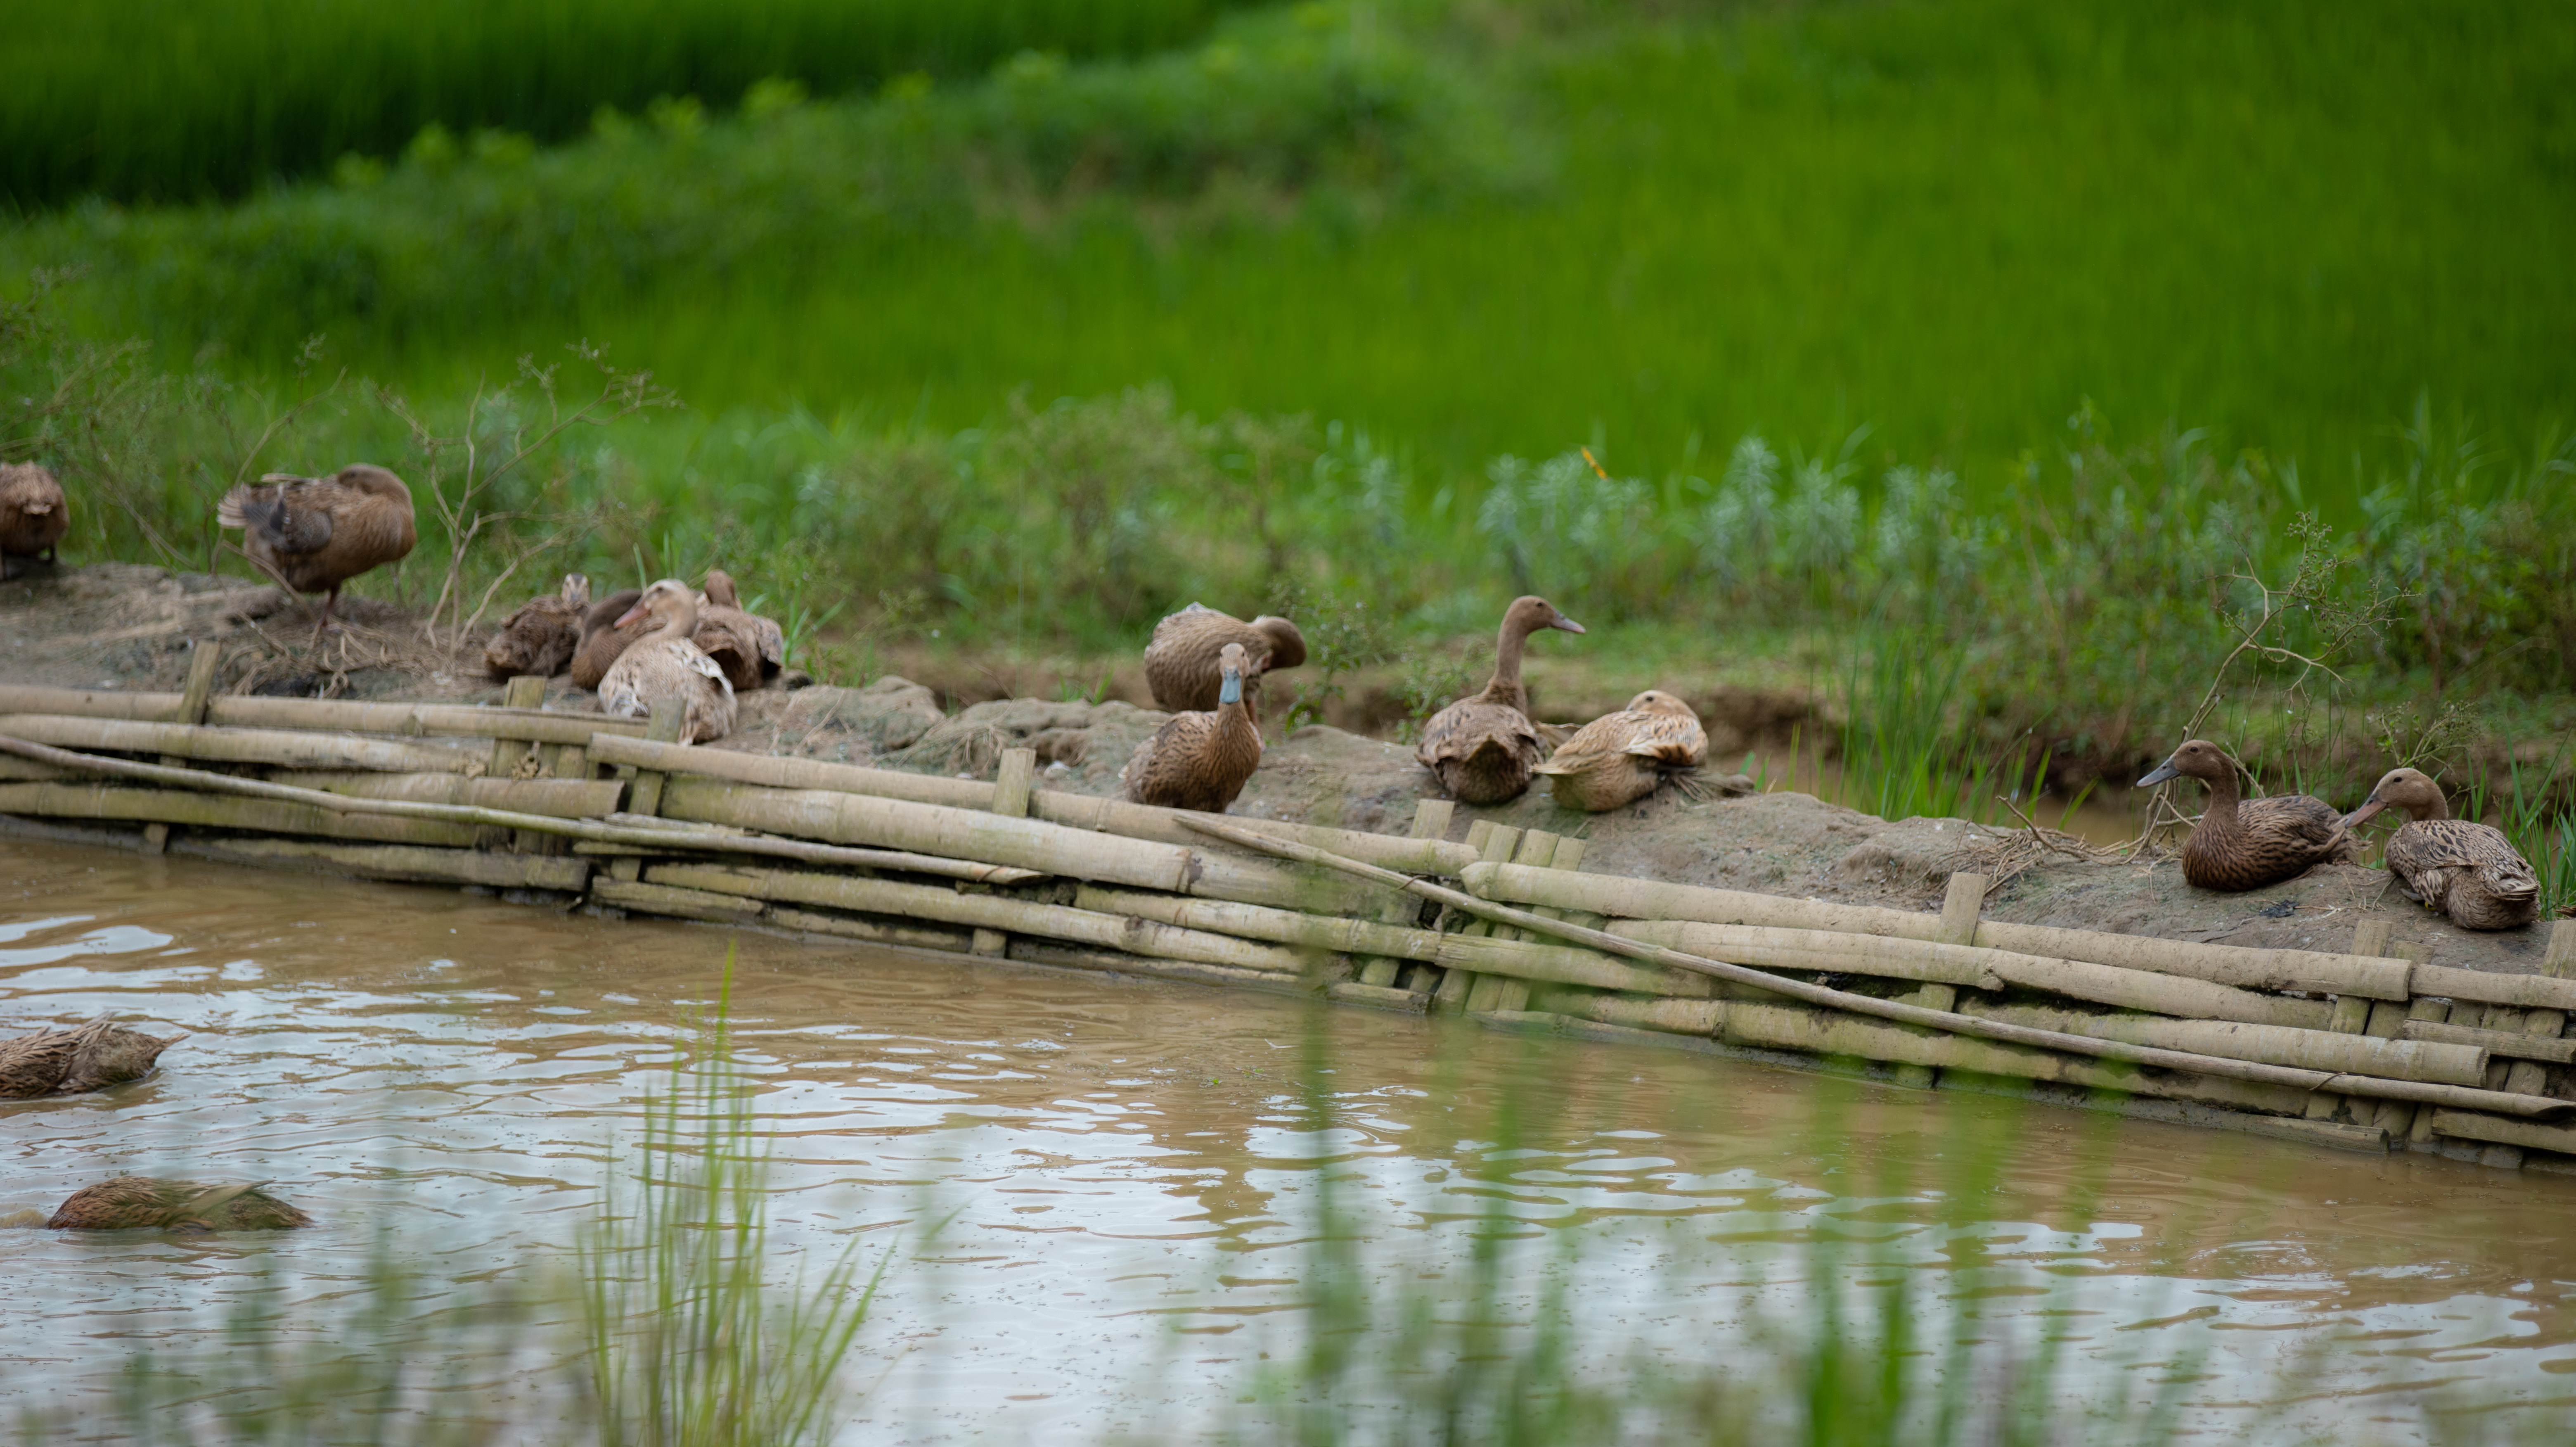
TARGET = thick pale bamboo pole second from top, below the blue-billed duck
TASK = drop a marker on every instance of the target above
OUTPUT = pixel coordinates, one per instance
(990, 838)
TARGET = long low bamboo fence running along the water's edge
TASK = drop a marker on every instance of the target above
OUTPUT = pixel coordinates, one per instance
(2358, 1049)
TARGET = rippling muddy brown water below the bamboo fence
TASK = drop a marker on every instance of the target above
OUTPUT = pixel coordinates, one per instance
(1130, 1173)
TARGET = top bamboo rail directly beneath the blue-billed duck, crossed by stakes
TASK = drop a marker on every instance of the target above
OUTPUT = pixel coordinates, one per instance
(1068, 810)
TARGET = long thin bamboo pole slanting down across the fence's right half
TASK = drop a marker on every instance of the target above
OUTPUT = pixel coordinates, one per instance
(1908, 1013)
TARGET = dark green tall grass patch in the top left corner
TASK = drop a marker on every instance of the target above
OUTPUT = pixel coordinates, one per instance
(192, 99)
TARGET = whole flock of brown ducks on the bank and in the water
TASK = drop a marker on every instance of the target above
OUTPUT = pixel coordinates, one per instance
(699, 648)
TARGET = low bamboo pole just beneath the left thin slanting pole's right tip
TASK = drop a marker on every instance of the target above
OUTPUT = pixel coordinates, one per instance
(985, 913)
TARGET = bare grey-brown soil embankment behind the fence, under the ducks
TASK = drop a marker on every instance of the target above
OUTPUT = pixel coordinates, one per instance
(130, 627)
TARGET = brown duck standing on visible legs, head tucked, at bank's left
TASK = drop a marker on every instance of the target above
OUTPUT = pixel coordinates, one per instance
(313, 534)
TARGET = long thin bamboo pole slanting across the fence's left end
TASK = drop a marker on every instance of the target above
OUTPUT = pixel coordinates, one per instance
(336, 805)
